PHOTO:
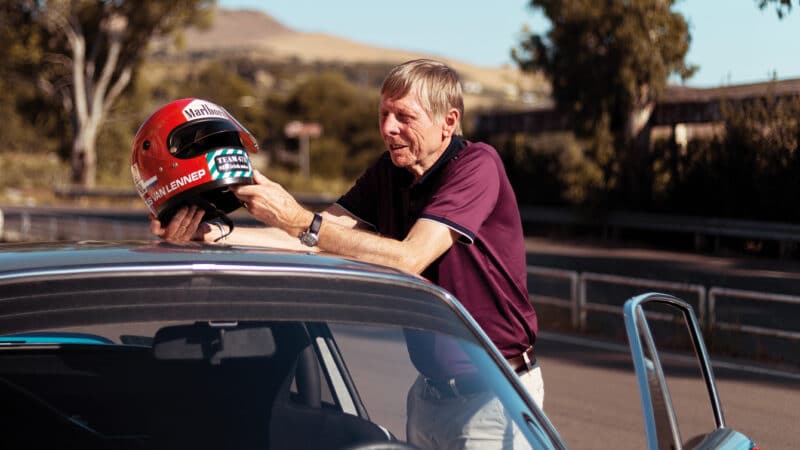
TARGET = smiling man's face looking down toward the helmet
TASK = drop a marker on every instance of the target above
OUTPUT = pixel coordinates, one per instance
(414, 139)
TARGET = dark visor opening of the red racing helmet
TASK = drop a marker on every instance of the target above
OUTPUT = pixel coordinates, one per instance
(197, 138)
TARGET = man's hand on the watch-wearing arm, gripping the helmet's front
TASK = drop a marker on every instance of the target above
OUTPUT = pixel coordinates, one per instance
(269, 202)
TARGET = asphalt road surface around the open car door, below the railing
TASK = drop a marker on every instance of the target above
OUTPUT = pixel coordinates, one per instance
(592, 398)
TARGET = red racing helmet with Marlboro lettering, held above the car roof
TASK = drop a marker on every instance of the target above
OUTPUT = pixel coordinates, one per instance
(189, 152)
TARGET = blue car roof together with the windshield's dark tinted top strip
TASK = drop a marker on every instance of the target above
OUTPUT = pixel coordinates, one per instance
(76, 283)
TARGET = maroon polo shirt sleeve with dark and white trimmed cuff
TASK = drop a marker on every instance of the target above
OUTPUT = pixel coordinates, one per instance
(467, 193)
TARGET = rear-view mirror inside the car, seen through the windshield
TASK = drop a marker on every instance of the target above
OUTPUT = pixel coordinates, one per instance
(213, 342)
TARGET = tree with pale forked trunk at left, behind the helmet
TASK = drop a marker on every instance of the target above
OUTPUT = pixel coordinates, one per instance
(88, 52)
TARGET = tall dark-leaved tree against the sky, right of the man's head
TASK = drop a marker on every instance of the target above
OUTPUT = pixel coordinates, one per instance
(608, 62)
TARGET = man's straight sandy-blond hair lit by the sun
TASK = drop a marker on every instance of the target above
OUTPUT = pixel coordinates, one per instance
(436, 85)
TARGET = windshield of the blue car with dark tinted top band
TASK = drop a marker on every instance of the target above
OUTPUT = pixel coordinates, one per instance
(235, 362)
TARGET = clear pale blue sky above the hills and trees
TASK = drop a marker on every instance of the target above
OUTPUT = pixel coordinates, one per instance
(733, 42)
